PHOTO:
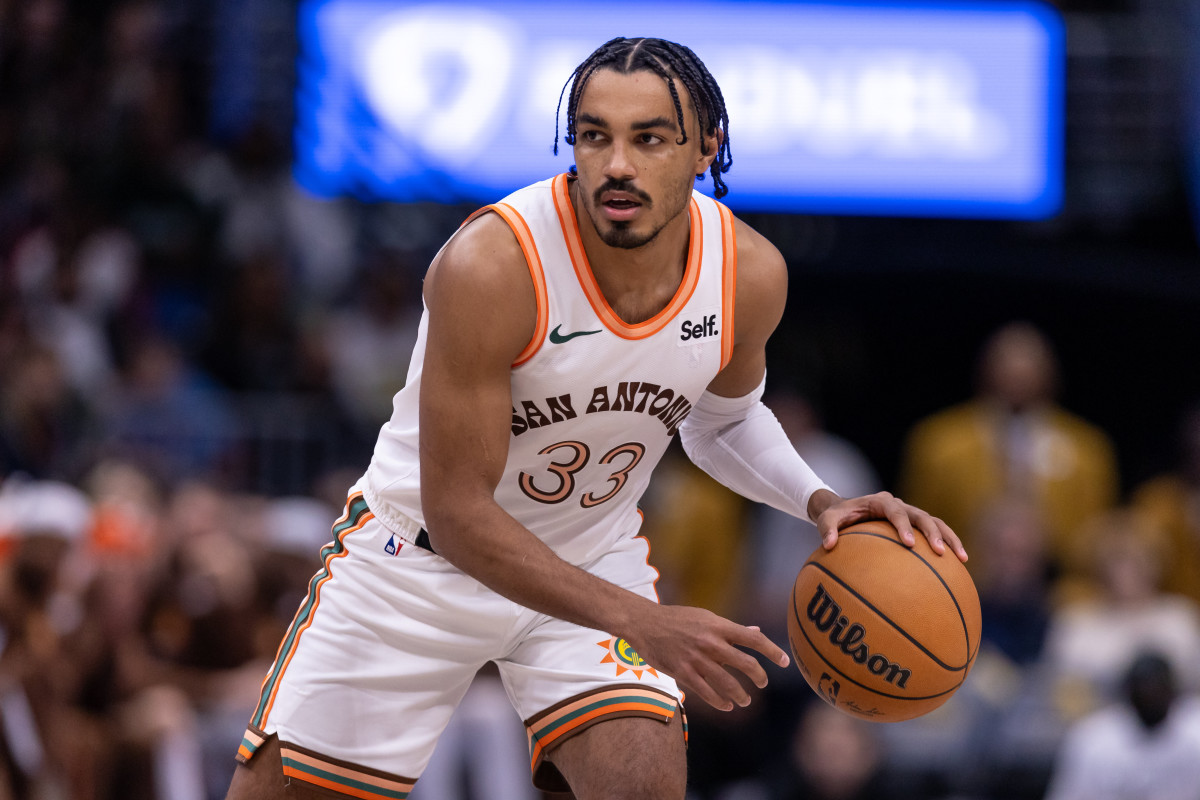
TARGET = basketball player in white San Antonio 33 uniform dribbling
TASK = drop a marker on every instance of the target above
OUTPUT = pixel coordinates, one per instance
(569, 333)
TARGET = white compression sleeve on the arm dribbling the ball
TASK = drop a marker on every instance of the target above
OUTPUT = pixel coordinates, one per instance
(741, 444)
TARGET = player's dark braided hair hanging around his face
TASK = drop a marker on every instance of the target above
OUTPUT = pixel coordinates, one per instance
(668, 61)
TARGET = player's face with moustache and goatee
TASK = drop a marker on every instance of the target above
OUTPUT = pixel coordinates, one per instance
(634, 178)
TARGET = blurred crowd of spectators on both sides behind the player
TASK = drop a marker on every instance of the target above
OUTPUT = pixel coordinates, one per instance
(196, 356)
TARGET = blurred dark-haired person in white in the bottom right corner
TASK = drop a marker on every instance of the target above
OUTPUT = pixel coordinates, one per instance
(1145, 747)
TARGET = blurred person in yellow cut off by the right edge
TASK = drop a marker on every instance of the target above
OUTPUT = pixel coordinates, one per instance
(1173, 502)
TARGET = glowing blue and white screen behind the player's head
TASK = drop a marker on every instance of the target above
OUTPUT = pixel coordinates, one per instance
(909, 110)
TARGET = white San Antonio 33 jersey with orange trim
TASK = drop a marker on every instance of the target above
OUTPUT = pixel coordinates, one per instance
(596, 401)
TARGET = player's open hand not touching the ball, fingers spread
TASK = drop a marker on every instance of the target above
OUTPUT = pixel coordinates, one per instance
(704, 652)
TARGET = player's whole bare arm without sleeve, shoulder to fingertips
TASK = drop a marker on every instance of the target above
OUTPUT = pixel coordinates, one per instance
(482, 316)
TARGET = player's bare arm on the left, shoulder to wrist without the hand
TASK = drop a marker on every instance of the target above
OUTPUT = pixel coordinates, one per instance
(482, 316)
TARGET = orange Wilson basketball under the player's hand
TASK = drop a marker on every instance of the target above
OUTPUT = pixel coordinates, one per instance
(883, 631)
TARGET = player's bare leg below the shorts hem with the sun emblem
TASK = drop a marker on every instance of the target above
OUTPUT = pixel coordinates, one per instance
(627, 757)
